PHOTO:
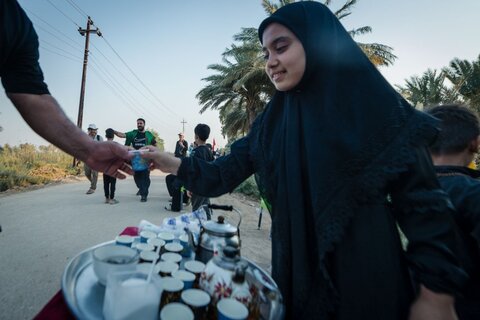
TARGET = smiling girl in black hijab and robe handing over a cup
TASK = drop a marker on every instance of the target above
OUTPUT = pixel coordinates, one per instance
(336, 209)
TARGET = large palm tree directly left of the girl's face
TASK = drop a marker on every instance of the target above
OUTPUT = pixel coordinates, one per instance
(240, 88)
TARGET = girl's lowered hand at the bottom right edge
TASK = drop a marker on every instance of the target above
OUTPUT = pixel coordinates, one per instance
(430, 305)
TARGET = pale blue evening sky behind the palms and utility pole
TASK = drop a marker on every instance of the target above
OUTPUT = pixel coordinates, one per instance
(153, 55)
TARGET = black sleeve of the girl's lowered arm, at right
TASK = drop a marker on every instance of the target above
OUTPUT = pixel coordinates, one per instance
(424, 213)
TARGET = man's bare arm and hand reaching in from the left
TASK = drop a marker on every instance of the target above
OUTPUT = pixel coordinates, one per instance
(46, 117)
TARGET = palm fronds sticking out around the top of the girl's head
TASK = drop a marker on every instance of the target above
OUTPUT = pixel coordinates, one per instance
(379, 54)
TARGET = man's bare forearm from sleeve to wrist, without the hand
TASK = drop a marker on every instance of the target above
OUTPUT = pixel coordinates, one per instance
(44, 115)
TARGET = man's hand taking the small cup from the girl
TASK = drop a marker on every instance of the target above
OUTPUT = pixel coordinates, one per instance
(109, 157)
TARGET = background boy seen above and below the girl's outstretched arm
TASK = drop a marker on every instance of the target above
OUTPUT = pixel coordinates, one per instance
(202, 151)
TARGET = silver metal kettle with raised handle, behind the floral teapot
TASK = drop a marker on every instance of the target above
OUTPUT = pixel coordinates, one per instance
(214, 235)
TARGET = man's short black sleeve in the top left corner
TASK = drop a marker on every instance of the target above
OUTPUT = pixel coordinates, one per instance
(19, 69)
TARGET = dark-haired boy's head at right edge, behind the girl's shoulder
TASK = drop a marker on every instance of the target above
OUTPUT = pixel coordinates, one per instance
(459, 130)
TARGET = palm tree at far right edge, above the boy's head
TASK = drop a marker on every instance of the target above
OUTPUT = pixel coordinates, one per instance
(465, 77)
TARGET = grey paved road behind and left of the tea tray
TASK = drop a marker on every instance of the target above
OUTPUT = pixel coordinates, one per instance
(43, 229)
